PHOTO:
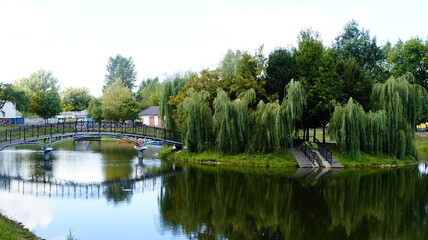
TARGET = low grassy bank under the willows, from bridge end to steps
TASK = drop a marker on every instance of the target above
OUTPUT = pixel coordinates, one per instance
(212, 157)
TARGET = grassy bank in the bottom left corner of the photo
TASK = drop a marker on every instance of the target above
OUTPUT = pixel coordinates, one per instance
(10, 230)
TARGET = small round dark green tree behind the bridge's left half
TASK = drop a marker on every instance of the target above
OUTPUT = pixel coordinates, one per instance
(45, 104)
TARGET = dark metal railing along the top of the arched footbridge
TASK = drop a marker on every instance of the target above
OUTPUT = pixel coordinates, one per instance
(27, 133)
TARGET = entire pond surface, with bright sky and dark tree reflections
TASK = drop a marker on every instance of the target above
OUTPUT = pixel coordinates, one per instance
(102, 191)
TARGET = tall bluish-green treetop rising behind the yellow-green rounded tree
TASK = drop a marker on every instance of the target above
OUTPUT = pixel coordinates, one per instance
(123, 68)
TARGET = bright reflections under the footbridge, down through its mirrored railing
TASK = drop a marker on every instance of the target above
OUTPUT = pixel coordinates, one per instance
(80, 170)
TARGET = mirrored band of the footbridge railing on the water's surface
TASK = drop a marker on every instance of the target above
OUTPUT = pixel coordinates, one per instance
(61, 189)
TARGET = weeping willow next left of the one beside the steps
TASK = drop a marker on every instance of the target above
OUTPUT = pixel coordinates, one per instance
(232, 121)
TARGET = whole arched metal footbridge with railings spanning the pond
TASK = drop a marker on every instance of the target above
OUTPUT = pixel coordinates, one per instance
(48, 135)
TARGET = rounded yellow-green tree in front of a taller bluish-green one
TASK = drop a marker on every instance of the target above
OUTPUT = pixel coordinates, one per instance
(118, 103)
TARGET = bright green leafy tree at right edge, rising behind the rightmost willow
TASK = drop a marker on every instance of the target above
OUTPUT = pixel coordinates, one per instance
(410, 56)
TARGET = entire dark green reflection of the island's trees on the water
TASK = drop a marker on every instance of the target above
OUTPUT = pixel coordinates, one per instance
(215, 204)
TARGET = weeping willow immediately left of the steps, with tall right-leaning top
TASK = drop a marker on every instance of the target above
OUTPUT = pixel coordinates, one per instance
(275, 124)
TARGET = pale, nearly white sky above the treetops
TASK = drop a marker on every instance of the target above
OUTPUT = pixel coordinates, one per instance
(75, 38)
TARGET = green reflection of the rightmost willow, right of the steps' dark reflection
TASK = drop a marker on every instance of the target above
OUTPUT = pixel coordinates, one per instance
(389, 204)
